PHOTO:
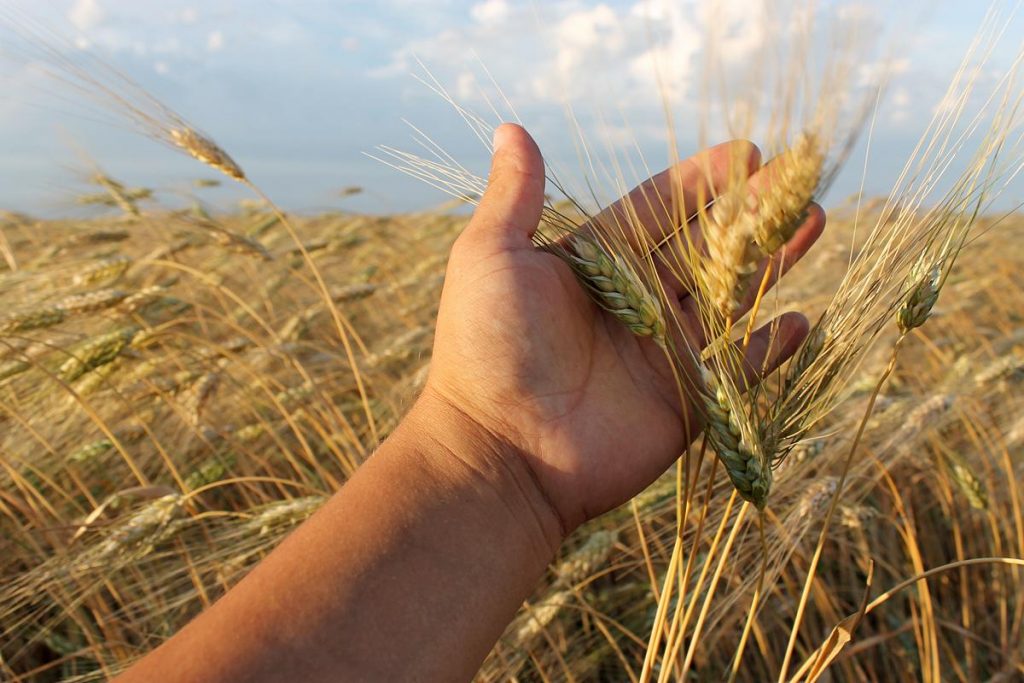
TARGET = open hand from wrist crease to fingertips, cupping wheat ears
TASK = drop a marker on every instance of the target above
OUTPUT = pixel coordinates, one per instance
(544, 376)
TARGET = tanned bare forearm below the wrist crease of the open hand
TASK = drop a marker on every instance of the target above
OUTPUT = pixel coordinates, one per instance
(411, 573)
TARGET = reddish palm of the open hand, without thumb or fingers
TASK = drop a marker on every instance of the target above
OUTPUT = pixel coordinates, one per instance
(595, 406)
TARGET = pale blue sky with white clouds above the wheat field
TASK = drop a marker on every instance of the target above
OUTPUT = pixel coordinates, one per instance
(298, 92)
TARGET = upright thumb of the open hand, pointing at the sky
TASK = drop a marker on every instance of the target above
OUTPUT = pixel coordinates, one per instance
(510, 209)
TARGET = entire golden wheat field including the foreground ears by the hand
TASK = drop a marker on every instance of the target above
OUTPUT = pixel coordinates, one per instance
(182, 388)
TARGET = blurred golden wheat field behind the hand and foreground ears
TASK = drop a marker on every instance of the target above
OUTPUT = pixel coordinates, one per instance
(175, 399)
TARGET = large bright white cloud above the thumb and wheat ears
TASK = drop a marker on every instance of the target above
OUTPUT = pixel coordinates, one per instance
(717, 64)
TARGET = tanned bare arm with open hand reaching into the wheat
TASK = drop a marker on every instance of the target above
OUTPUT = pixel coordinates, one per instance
(540, 412)
